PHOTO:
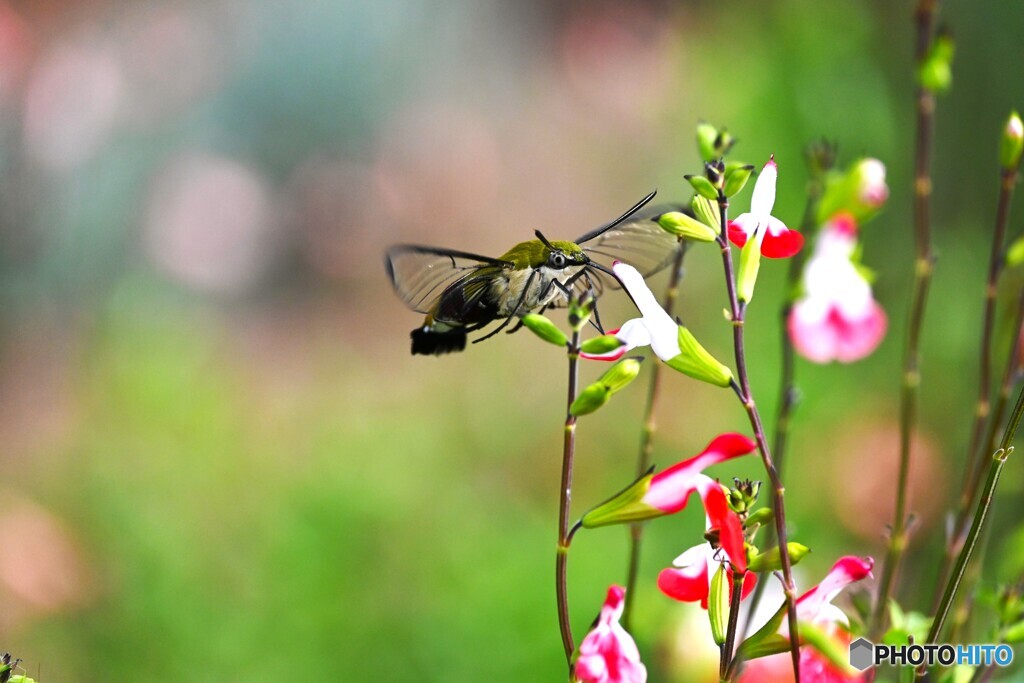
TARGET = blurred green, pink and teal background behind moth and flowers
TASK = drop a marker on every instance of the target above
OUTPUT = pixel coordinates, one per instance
(220, 461)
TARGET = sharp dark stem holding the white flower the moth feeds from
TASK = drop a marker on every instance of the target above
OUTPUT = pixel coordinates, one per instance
(738, 311)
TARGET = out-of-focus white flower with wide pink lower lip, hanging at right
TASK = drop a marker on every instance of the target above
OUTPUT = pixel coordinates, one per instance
(838, 318)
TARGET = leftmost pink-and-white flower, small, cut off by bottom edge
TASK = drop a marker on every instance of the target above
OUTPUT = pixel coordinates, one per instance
(609, 654)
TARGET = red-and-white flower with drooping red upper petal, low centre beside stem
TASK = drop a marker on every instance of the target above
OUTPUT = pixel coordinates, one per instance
(690, 579)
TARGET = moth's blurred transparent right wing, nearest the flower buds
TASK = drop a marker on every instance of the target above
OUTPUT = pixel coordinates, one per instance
(636, 240)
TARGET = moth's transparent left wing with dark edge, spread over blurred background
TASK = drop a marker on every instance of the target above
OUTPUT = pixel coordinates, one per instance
(421, 275)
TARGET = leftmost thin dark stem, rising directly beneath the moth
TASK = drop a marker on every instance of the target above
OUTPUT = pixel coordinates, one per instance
(566, 495)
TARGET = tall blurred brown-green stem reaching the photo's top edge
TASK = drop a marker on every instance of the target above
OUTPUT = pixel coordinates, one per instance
(924, 265)
